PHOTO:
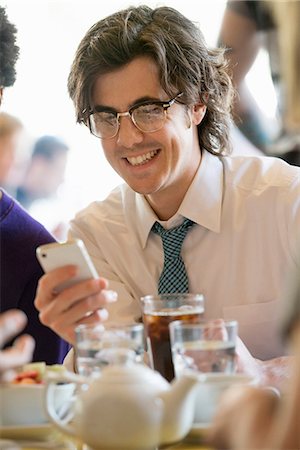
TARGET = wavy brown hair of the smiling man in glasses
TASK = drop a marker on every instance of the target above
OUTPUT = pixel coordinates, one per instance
(177, 46)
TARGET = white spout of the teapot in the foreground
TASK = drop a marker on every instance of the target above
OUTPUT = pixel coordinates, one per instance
(179, 409)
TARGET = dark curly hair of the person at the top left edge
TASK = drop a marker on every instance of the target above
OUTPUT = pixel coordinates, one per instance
(9, 51)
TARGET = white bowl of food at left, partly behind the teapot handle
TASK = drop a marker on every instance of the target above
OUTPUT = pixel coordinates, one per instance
(24, 404)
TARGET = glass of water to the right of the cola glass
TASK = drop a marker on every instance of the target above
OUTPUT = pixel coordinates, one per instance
(206, 346)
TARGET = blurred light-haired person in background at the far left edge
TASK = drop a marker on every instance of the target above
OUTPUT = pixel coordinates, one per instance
(10, 130)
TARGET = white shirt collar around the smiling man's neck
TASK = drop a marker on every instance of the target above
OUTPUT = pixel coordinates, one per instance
(202, 202)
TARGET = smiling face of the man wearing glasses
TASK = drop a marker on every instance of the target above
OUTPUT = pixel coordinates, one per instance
(169, 156)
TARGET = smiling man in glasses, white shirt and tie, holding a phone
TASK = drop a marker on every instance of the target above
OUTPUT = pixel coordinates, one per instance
(145, 83)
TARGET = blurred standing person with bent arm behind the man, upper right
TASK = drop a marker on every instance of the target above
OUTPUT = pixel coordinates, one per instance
(247, 27)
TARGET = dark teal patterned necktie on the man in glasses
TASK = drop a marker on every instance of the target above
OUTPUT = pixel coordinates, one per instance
(173, 277)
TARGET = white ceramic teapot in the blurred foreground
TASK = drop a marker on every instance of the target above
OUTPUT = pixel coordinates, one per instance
(129, 406)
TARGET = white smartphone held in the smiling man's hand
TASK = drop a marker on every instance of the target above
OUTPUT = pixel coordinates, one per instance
(55, 255)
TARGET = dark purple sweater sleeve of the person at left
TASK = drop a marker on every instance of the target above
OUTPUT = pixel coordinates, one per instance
(20, 271)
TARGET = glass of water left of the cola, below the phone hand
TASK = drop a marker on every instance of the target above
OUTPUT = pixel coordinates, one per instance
(98, 346)
